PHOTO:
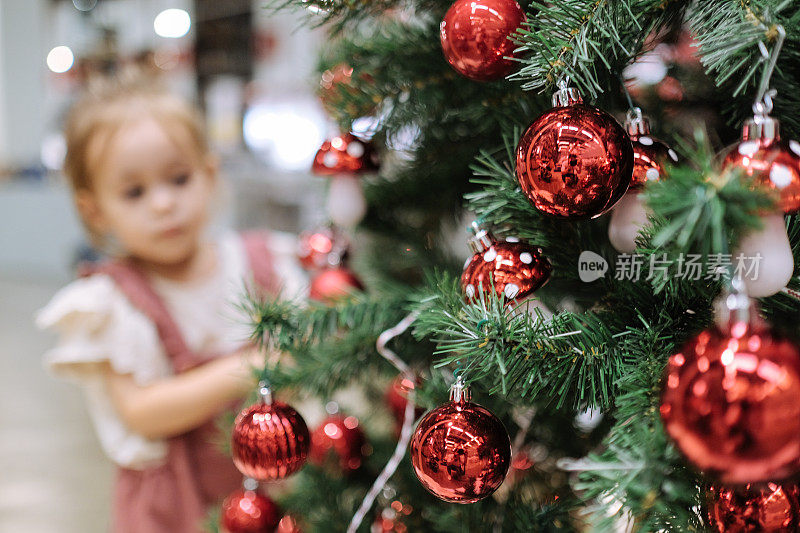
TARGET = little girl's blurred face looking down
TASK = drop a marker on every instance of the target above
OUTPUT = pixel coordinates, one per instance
(151, 193)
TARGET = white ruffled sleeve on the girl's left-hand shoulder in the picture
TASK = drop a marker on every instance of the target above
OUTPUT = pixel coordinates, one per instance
(96, 324)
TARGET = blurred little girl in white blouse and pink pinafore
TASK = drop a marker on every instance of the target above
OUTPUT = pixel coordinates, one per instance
(153, 335)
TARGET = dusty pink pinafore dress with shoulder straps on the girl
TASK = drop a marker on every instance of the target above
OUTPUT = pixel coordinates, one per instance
(175, 496)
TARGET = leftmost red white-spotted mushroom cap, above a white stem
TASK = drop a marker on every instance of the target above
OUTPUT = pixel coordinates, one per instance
(344, 154)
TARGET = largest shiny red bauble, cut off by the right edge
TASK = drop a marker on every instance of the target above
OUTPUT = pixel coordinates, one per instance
(730, 403)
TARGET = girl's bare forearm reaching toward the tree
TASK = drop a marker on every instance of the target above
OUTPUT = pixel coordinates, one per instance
(183, 402)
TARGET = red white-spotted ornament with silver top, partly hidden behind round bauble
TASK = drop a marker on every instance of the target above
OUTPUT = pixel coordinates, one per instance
(649, 154)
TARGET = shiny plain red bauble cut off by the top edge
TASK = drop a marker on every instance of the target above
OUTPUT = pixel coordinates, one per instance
(475, 37)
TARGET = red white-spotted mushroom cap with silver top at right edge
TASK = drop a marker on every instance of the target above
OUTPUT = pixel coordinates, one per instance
(772, 161)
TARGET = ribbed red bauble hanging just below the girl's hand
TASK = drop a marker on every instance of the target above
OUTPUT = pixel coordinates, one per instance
(270, 441)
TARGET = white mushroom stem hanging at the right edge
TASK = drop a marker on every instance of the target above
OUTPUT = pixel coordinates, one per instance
(774, 269)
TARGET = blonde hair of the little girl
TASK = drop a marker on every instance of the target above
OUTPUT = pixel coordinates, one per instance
(106, 107)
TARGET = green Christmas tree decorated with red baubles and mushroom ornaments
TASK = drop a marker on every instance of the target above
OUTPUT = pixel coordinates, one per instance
(603, 314)
